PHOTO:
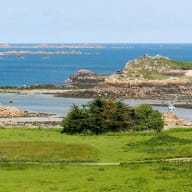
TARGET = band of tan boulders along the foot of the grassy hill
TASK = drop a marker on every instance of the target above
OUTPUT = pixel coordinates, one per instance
(151, 88)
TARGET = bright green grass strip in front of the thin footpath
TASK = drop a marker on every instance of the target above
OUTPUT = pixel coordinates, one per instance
(155, 177)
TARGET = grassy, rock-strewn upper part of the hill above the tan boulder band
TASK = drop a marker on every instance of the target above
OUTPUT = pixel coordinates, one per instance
(156, 68)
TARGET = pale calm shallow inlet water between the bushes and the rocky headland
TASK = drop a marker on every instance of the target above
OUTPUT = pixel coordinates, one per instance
(60, 106)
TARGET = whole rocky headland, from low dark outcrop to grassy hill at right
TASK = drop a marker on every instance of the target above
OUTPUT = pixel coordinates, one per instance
(147, 77)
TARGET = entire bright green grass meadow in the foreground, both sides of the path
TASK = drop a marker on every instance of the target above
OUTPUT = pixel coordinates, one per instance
(19, 146)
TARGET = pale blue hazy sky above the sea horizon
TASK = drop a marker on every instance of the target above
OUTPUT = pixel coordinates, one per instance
(95, 21)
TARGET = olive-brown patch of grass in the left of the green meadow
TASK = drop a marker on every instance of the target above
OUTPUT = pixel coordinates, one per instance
(46, 152)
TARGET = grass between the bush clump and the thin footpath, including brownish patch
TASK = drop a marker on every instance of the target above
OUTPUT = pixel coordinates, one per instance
(38, 145)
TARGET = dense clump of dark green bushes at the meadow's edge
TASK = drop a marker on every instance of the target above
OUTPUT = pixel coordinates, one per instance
(104, 115)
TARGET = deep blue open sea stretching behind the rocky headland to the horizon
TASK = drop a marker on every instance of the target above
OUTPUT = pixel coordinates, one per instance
(33, 69)
